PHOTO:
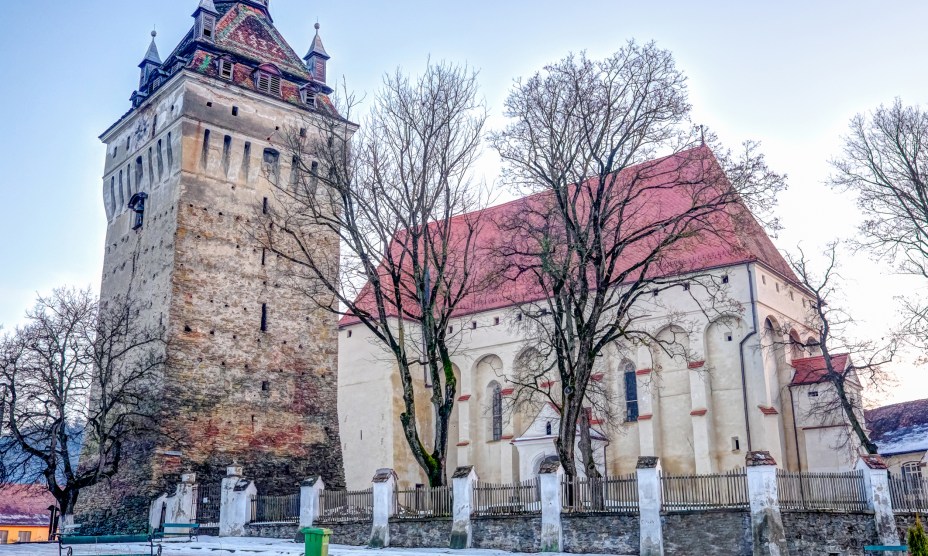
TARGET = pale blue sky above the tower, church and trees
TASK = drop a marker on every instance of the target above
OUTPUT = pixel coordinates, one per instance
(787, 74)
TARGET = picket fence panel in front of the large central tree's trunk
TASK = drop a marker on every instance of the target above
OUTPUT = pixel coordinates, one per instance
(606, 494)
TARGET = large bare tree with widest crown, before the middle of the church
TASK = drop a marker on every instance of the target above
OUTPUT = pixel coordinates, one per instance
(624, 186)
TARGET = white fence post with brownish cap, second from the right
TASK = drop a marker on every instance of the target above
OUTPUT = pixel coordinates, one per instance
(767, 532)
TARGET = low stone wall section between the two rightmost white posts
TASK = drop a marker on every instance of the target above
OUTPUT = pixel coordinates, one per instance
(819, 532)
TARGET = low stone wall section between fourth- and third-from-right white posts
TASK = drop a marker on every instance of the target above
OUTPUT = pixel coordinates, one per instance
(600, 534)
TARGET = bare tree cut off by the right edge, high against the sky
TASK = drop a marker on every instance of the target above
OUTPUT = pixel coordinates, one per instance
(885, 162)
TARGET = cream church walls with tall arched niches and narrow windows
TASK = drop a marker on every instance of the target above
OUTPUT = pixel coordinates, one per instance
(734, 390)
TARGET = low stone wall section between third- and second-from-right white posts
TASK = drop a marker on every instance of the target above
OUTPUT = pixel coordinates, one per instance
(708, 532)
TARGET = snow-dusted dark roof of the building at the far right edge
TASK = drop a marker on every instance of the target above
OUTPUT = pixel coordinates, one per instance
(900, 428)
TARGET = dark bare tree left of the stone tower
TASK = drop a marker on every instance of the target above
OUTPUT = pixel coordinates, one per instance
(77, 377)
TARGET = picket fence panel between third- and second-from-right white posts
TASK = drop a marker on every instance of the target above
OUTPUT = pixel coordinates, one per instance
(696, 492)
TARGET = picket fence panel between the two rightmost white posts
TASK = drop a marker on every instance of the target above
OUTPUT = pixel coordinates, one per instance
(842, 492)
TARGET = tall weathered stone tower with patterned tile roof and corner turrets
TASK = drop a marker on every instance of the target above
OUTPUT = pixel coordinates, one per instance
(251, 374)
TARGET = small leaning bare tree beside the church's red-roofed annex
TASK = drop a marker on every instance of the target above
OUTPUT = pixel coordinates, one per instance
(850, 365)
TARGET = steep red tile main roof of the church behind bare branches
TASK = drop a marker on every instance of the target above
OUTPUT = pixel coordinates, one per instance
(737, 237)
